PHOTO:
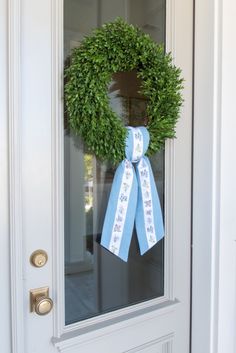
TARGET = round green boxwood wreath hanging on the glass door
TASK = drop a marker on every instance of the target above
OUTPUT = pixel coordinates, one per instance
(118, 47)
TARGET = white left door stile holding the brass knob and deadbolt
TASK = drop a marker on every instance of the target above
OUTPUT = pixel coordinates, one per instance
(36, 152)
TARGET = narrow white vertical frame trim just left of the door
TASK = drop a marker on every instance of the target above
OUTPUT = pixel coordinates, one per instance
(14, 74)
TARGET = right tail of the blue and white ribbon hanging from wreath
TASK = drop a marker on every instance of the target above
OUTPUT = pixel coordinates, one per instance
(148, 219)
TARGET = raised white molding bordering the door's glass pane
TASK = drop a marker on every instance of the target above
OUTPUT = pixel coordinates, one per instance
(58, 184)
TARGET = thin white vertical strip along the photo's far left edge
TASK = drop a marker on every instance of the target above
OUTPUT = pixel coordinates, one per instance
(5, 297)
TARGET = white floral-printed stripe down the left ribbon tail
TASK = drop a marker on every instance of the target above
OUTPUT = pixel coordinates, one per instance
(121, 210)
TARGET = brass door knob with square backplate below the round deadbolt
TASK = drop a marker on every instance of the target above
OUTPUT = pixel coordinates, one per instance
(40, 303)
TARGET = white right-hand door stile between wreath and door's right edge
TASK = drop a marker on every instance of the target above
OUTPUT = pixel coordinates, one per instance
(180, 40)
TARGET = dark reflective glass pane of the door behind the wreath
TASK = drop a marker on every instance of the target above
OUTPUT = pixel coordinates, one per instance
(95, 280)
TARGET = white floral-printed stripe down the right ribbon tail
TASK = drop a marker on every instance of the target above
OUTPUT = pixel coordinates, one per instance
(147, 203)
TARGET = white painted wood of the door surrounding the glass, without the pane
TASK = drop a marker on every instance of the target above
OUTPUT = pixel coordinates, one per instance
(40, 156)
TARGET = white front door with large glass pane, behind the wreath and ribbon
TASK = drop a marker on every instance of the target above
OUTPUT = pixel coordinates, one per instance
(100, 303)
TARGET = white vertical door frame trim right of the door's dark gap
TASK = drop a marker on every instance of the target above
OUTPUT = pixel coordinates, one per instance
(206, 171)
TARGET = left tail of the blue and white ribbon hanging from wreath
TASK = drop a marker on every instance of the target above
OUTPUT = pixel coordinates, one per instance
(120, 214)
